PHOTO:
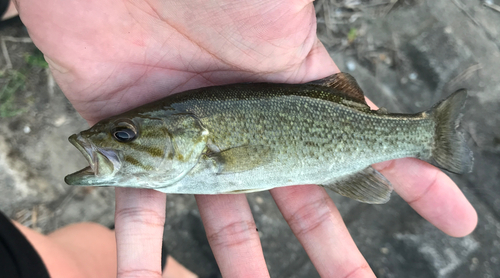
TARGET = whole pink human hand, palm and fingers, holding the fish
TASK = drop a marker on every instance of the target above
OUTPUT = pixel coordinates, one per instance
(110, 56)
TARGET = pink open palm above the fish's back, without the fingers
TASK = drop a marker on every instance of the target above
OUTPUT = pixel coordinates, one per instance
(110, 56)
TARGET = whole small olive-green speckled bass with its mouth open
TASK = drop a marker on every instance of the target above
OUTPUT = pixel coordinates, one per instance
(249, 137)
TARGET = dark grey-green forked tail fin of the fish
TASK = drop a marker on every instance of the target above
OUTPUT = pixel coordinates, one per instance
(450, 149)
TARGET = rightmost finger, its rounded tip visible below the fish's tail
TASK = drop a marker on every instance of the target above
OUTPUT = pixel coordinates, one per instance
(432, 194)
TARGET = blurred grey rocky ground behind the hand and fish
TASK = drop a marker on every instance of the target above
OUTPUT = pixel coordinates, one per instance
(405, 54)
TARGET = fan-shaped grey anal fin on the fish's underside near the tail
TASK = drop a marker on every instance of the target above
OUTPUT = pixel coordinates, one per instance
(367, 186)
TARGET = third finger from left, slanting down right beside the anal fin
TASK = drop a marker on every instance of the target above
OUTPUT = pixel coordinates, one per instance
(316, 222)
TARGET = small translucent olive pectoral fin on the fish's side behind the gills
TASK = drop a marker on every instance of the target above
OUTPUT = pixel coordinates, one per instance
(241, 159)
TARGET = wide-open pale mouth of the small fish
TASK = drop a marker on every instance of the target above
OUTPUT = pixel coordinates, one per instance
(103, 163)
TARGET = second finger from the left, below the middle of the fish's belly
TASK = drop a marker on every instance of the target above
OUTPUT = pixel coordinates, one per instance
(232, 235)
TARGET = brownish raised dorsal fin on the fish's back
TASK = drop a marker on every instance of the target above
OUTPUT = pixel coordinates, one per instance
(345, 84)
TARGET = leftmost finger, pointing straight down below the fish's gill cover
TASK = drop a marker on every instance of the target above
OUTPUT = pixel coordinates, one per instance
(139, 221)
